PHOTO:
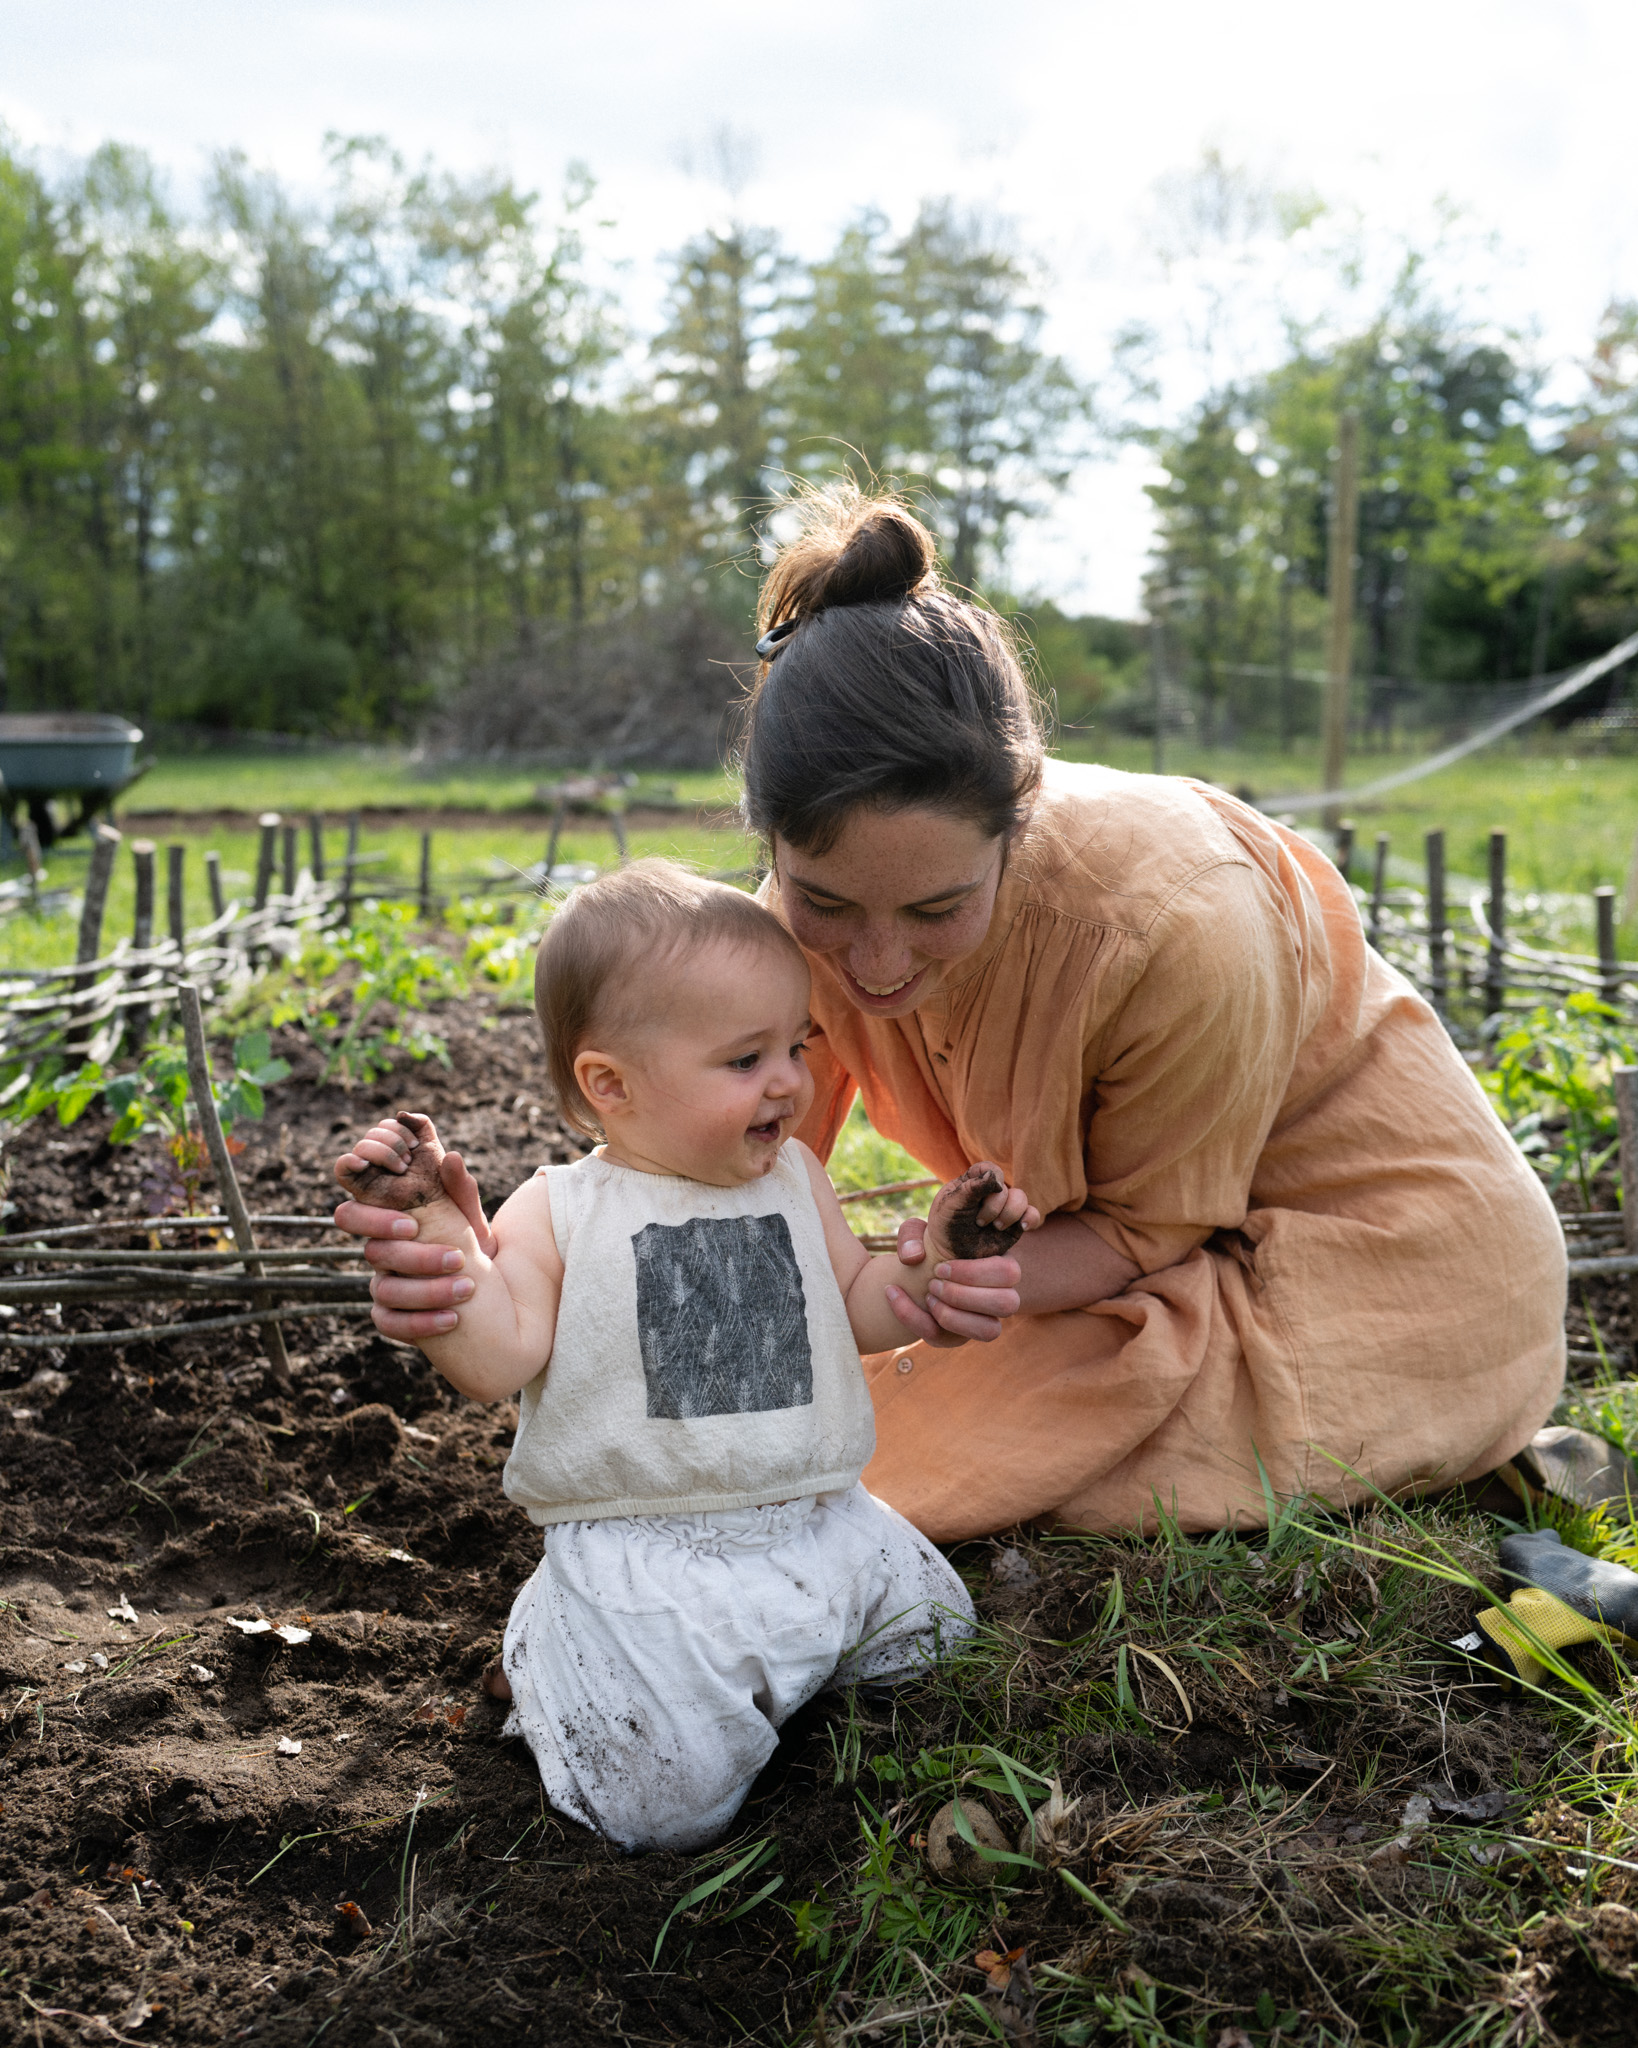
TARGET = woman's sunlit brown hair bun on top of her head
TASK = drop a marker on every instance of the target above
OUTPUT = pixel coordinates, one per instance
(851, 550)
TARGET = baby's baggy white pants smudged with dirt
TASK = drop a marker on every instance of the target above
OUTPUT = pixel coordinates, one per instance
(654, 1658)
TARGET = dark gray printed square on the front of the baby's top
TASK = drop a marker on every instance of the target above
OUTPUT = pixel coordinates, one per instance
(722, 1318)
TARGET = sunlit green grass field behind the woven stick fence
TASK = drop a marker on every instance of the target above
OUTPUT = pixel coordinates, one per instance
(1571, 820)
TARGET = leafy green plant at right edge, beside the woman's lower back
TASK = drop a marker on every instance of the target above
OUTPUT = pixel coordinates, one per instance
(1549, 1078)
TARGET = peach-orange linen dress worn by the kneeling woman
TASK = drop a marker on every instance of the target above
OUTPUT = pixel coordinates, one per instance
(1178, 1033)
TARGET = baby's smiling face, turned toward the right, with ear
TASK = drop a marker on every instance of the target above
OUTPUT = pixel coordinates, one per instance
(718, 1080)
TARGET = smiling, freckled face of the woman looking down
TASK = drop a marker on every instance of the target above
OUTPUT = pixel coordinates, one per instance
(896, 904)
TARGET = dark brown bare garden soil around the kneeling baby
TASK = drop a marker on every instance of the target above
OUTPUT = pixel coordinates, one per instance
(175, 1869)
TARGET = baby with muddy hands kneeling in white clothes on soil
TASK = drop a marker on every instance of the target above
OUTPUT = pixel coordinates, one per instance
(681, 1316)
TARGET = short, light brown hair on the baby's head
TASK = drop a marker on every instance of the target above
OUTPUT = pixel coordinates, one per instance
(615, 935)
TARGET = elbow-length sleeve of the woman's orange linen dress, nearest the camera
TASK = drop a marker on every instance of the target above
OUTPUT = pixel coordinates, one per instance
(1195, 1066)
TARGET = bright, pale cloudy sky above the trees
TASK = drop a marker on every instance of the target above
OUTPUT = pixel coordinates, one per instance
(1064, 122)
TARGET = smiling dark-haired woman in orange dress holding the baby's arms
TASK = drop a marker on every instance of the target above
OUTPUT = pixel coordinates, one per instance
(1291, 1248)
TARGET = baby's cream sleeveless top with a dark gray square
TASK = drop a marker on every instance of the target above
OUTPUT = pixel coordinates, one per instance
(703, 1355)
